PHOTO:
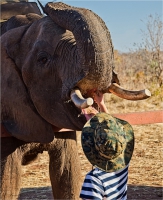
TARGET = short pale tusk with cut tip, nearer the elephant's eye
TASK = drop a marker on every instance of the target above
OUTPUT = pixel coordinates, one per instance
(79, 100)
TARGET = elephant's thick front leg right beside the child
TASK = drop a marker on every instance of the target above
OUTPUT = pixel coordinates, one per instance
(64, 168)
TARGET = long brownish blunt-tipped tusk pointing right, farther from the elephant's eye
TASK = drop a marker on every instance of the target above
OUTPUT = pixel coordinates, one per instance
(127, 94)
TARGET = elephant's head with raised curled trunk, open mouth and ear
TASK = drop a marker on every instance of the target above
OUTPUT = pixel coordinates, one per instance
(42, 65)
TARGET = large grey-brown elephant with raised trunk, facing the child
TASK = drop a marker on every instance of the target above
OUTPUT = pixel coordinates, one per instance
(50, 66)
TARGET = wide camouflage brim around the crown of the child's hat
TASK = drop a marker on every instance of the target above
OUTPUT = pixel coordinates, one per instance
(93, 155)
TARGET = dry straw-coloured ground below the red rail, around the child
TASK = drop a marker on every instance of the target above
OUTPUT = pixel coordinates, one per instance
(145, 172)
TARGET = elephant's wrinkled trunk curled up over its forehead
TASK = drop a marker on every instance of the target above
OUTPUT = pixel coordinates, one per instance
(94, 47)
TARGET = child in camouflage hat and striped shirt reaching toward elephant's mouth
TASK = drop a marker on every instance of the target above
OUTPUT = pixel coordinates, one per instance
(108, 144)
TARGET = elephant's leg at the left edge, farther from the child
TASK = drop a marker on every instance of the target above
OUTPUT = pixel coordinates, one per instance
(10, 168)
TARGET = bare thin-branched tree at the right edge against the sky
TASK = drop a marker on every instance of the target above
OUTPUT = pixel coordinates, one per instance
(151, 48)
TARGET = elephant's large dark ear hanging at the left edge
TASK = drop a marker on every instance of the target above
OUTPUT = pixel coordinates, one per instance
(19, 115)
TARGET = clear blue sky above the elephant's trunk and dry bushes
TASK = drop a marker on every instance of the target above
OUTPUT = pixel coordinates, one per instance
(123, 18)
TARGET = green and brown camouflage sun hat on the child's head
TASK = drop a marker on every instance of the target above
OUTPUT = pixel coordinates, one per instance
(107, 142)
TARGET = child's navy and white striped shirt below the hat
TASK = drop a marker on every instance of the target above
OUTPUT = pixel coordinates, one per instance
(99, 185)
